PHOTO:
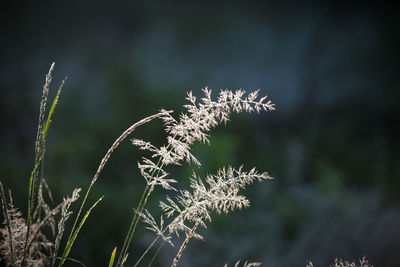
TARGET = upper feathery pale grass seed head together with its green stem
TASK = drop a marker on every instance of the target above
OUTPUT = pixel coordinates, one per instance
(193, 126)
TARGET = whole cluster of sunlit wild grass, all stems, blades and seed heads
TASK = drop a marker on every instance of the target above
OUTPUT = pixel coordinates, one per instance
(25, 242)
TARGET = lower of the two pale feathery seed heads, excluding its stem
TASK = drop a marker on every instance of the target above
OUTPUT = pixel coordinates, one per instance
(219, 193)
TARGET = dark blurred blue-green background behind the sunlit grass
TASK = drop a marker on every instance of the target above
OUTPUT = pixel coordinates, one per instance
(332, 145)
